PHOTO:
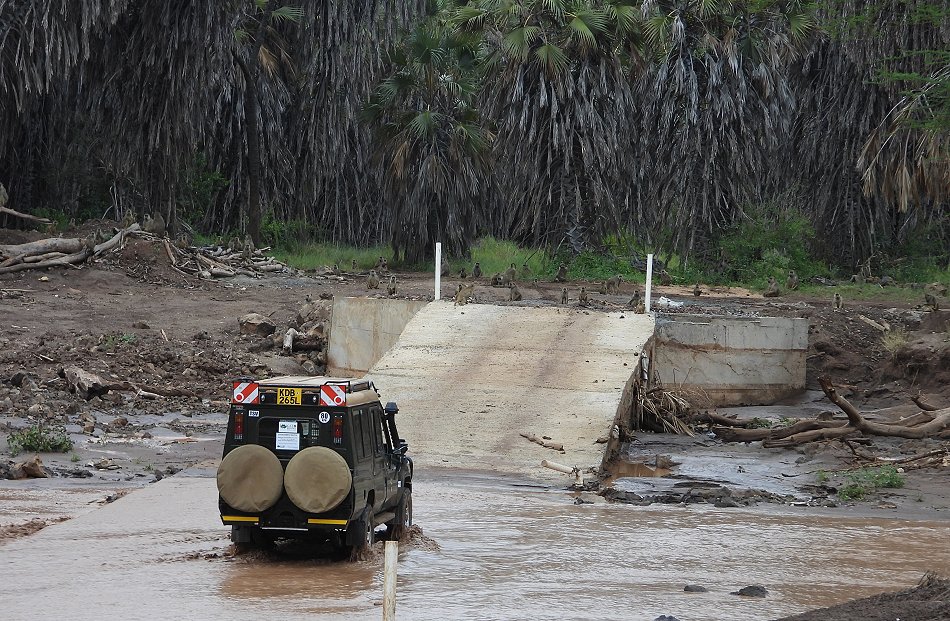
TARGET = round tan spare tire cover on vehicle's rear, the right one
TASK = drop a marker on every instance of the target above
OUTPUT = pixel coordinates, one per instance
(317, 479)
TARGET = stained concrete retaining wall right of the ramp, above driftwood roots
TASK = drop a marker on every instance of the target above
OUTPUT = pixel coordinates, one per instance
(731, 360)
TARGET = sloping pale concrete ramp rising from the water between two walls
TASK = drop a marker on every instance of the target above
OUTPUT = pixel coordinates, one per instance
(470, 379)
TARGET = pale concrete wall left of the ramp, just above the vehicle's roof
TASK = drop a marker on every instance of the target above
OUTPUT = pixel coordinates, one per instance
(362, 330)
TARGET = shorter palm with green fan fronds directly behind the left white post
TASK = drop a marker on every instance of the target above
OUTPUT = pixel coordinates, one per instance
(432, 147)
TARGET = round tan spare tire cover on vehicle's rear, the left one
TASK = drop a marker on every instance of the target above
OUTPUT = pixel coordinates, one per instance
(250, 478)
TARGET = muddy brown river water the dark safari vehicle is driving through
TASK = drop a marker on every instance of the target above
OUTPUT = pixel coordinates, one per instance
(505, 551)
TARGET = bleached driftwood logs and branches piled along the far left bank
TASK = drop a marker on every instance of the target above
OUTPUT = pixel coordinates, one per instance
(202, 262)
